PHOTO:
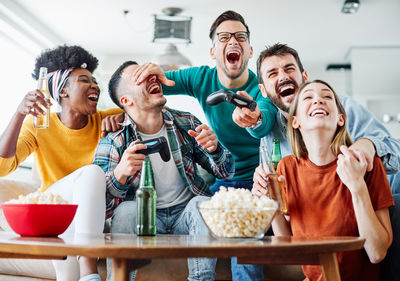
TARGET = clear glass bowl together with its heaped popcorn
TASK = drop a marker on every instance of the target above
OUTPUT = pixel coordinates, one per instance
(236, 213)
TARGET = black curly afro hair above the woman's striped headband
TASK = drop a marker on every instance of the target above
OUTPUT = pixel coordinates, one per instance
(64, 57)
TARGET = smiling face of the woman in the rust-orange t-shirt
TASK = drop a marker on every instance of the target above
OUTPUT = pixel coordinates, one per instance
(317, 109)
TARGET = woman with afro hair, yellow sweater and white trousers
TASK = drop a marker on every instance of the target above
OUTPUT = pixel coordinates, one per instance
(63, 152)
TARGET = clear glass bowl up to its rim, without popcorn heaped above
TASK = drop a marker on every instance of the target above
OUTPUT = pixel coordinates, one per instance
(237, 222)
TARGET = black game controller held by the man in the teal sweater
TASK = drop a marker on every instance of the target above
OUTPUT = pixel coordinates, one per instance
(231, 97)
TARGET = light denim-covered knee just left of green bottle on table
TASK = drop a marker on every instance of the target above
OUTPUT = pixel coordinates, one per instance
(124, 218)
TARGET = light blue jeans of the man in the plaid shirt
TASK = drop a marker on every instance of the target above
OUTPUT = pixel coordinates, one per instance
(179, 219)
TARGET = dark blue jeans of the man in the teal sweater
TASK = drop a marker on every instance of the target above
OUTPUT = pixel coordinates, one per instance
(241, 272)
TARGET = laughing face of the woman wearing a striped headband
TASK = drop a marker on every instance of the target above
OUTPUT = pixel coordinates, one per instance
(81, 92)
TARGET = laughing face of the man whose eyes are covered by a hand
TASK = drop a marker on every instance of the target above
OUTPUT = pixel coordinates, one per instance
(147, 95)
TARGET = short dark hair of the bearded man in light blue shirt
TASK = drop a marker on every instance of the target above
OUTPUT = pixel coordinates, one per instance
(277, 49)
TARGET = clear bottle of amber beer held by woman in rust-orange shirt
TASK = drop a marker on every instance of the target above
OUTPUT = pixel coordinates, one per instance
(275, 189)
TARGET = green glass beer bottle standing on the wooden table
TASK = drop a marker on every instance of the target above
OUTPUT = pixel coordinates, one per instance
(146, 202)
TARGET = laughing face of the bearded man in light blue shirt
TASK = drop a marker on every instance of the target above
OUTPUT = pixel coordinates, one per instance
(281, 78)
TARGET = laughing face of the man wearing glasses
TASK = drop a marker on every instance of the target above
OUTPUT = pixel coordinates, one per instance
(231, 56)
